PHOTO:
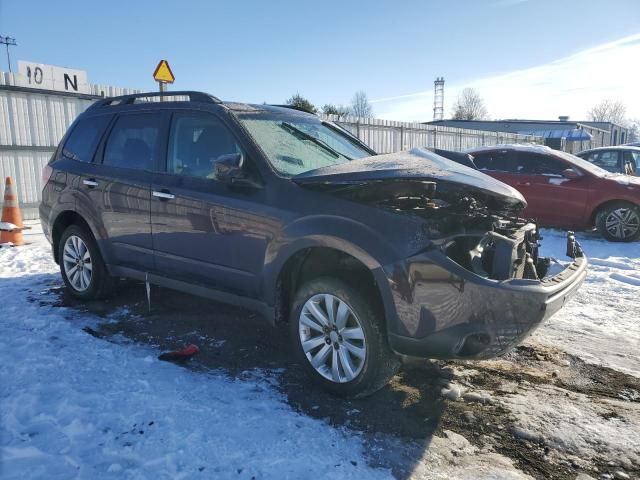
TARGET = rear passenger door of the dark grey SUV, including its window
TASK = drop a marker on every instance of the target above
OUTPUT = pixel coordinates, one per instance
(120, 185)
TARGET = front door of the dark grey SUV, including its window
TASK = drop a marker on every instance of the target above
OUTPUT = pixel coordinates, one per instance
(205, 231)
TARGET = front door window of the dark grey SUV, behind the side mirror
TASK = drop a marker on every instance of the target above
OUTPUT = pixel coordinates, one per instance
(196, 143)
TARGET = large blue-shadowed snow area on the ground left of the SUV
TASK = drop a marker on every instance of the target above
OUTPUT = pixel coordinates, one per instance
(74, 406)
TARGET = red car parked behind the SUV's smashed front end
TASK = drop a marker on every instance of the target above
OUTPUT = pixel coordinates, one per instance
(565, 191)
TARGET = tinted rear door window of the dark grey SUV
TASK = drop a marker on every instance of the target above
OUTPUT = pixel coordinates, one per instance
(133, 142)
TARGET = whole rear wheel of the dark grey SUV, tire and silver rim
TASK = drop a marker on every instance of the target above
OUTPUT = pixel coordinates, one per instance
(90, 279)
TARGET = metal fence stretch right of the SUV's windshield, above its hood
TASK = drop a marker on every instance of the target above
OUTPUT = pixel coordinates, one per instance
(386, 136)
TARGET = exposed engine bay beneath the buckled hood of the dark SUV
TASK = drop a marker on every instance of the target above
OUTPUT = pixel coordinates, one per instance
(480, 233)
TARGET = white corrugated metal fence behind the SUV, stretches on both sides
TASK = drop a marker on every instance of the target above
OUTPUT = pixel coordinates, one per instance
(33, 122)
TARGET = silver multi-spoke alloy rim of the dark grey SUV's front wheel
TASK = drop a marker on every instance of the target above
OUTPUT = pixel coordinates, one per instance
(332, 338)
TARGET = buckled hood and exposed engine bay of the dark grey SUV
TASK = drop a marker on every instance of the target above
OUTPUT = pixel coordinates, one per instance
(472, 217)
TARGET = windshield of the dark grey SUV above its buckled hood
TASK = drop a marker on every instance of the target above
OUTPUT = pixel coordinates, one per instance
(295, 144)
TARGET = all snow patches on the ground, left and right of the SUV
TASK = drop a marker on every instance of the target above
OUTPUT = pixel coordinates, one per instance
(75, 406)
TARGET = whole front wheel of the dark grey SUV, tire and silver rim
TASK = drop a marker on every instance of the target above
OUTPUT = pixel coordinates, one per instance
(358, 375)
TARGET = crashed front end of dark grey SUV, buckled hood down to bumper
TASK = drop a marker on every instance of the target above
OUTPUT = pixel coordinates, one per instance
(478, 286)
